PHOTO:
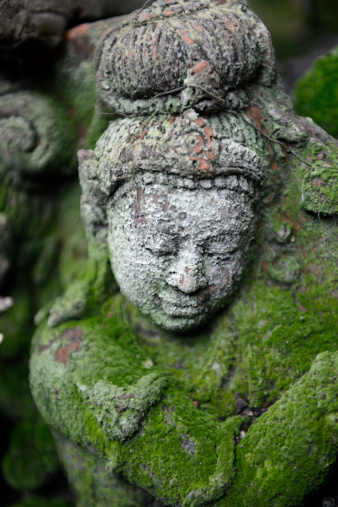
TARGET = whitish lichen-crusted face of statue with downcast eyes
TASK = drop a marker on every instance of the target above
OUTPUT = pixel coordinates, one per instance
(177, 253)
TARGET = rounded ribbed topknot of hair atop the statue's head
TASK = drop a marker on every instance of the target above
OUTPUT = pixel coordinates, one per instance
(179, 54)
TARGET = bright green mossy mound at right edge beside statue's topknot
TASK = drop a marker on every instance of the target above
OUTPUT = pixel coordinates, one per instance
(316, 93)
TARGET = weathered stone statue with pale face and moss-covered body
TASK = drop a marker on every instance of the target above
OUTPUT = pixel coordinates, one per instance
(211, 377)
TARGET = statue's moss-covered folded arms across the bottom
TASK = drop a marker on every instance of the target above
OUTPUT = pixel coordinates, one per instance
(93, 391)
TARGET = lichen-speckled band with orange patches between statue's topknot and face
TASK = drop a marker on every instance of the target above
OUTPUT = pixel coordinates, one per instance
(187, 146)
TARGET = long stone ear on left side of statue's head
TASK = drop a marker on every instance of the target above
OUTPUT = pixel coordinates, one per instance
(93, 201)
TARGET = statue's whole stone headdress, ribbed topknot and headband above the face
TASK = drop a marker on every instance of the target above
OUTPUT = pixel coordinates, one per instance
(179, 70)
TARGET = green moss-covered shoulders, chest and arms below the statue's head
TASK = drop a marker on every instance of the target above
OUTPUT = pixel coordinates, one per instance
(263, 344)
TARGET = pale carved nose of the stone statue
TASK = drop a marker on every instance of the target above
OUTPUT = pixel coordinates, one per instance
(186, 273)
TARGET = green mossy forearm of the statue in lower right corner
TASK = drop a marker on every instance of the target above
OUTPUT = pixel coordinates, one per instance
(292, 446)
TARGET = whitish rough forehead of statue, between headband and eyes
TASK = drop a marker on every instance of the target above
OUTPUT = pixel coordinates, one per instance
(178, 213)
